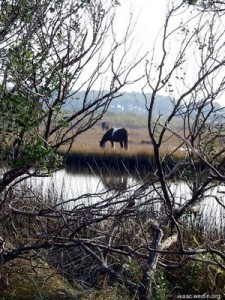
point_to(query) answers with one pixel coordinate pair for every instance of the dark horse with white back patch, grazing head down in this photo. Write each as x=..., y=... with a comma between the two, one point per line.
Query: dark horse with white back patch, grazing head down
x=119, y=135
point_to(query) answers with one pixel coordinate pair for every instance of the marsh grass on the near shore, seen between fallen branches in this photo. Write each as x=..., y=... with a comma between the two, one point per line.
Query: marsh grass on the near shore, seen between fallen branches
x=71, y=274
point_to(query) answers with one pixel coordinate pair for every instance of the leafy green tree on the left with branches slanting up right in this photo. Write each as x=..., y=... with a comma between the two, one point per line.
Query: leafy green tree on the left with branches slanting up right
x=49, y=51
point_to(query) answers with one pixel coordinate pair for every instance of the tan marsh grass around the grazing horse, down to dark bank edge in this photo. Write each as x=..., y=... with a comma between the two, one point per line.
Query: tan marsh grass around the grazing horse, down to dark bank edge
x=86, y=153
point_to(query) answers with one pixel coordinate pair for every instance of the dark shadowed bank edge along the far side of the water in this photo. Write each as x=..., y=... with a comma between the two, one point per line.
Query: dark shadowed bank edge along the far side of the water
x=135, y=163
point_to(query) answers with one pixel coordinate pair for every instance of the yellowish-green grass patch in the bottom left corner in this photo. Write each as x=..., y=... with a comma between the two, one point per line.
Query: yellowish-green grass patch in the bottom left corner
x=28, y=278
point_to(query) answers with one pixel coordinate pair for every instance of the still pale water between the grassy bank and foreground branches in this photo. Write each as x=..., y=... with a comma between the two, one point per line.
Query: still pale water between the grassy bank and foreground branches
x=65, y=185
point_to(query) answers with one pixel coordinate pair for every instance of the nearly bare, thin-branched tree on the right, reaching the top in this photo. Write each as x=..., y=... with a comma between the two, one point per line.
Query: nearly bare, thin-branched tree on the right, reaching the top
x=192, y=75
